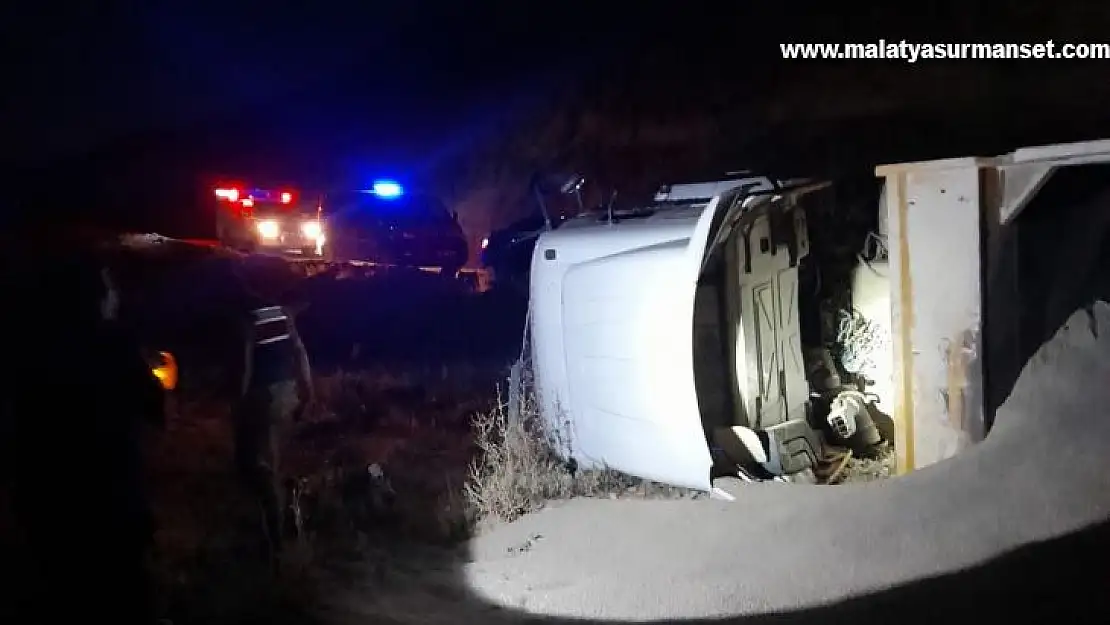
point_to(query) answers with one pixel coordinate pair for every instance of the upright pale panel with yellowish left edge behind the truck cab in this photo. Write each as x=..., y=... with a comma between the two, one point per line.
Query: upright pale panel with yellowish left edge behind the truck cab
x=936, y=311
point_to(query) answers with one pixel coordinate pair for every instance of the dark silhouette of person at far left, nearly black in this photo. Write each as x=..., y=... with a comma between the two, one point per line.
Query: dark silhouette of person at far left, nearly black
x=78, y=396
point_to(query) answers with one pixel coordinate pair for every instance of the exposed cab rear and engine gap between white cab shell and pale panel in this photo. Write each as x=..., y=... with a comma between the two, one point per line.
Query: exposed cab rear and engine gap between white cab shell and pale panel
x=788, y=329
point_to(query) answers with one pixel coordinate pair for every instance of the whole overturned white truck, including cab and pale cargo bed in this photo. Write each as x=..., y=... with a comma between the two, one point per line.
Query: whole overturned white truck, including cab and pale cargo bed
x=668, y=344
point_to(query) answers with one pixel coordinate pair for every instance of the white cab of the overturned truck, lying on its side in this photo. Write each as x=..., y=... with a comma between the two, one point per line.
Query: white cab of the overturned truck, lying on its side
x=669, y=344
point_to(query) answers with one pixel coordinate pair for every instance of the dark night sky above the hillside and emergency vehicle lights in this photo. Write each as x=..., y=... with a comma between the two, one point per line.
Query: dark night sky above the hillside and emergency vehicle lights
x=114, y=90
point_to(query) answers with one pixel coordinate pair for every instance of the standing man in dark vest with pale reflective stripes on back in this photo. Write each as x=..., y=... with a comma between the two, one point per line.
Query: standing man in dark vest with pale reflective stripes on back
x=275, y=390
